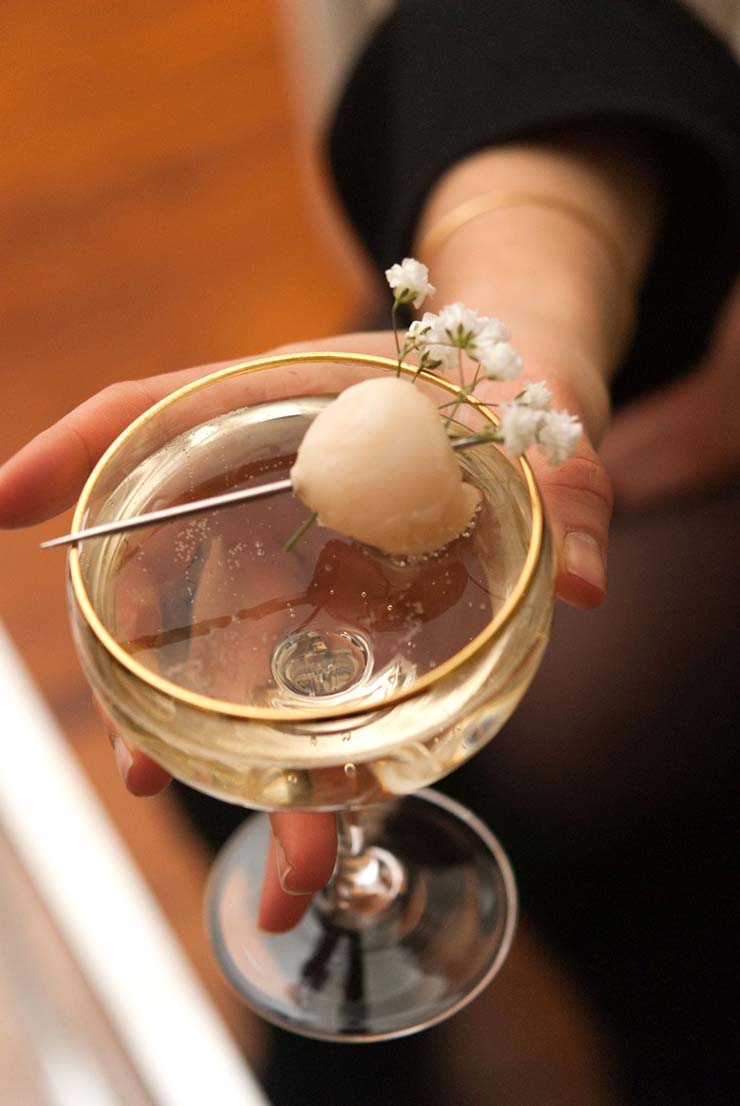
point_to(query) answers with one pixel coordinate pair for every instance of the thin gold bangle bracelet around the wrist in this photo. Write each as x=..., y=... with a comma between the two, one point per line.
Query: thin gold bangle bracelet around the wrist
x=465, y=213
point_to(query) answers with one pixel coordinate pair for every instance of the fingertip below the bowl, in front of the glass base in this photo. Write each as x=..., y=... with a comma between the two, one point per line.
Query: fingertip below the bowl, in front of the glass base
x=300, y=862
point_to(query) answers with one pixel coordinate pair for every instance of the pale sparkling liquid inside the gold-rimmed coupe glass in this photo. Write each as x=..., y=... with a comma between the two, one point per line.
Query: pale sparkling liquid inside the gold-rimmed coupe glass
x=216, y=606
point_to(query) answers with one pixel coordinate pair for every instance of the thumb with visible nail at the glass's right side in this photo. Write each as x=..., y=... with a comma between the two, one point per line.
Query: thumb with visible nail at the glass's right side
x=578, y=502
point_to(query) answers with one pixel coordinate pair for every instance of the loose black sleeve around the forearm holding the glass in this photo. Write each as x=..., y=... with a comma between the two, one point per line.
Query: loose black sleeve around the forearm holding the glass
x=445, y=78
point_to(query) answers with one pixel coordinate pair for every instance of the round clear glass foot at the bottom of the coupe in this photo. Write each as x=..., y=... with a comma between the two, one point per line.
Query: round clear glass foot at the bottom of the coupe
x=364, y=975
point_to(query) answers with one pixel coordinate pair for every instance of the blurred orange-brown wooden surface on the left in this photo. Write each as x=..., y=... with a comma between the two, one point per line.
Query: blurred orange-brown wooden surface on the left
x=153, y=215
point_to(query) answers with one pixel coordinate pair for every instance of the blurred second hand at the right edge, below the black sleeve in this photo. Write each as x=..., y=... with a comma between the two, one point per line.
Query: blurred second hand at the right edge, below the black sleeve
x=685, y=437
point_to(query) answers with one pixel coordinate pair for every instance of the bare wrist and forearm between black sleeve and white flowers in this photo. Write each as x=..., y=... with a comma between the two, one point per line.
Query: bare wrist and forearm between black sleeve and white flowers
x=568, y=294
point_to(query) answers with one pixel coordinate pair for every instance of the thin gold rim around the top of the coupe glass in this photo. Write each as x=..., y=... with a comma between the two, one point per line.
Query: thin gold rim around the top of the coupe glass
x=265, y=714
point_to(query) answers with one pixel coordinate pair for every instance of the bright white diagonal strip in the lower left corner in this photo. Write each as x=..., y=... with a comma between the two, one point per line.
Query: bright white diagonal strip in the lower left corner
x=108, y=916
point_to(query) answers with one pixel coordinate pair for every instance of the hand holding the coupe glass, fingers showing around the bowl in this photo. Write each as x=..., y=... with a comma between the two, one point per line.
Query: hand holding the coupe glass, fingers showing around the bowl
x=46, y=477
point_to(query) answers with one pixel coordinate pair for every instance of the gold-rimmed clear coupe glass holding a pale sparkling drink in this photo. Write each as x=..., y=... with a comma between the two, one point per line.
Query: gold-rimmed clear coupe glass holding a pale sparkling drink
x=331, y=677
